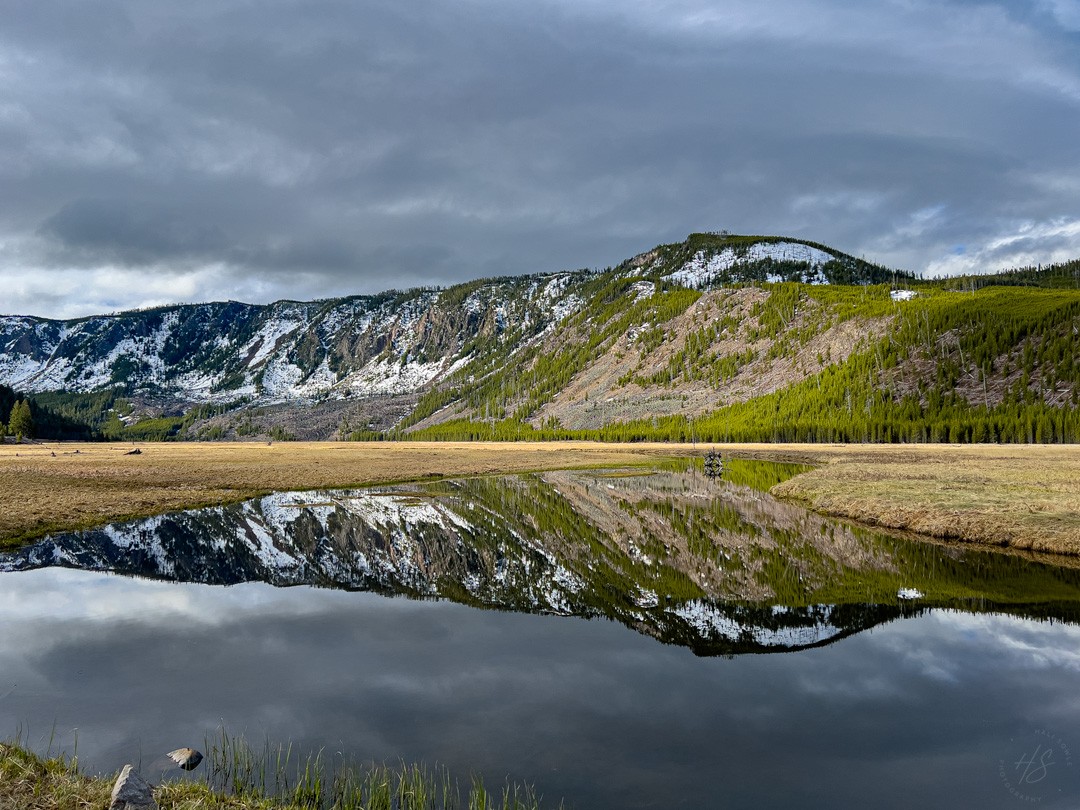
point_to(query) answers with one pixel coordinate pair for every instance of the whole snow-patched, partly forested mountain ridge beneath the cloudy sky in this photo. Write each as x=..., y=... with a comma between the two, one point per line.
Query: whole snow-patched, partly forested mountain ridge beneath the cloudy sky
x=718, y=336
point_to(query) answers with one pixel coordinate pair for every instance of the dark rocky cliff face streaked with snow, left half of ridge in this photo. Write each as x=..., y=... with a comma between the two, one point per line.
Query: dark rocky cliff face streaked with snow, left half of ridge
x=222, y=353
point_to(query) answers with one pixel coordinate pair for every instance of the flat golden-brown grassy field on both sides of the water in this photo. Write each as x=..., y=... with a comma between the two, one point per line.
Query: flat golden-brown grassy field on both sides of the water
x=1023, y=496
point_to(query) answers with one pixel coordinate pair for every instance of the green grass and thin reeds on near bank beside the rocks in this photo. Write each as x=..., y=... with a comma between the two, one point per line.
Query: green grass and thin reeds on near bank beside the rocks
x=238, y=778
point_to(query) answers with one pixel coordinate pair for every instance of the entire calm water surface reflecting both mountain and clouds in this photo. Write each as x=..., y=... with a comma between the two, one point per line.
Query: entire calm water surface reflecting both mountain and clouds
x=658, y=641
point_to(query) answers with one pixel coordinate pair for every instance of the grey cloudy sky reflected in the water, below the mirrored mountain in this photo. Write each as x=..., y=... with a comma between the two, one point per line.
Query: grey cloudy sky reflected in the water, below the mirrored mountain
x=917, y=713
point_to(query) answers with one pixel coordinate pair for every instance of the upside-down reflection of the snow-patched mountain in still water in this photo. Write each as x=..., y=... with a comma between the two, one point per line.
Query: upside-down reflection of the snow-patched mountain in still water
x=712, y=565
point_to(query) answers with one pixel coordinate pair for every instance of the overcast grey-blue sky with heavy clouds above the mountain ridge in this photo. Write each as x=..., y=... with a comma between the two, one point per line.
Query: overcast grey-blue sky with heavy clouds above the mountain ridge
x=163, y=153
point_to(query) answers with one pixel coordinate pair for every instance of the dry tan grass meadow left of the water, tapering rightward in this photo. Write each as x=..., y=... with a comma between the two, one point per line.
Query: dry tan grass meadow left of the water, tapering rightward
x=56, y=488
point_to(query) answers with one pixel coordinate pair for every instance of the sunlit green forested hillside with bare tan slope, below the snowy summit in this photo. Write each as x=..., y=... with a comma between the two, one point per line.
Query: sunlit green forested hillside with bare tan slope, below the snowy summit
x=798, y=362
